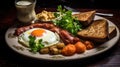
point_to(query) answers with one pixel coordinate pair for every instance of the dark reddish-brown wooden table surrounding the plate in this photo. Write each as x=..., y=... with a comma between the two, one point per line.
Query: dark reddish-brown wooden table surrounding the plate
x=9, y=58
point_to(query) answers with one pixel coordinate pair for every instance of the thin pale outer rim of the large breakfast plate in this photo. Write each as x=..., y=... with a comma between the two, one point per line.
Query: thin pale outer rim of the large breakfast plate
x=59, y=59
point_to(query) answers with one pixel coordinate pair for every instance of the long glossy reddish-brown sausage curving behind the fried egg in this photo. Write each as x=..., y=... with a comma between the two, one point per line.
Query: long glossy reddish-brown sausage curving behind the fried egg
x=64, y=34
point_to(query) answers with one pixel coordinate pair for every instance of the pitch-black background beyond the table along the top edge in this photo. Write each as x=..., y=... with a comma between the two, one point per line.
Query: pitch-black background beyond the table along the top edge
x=99, y=4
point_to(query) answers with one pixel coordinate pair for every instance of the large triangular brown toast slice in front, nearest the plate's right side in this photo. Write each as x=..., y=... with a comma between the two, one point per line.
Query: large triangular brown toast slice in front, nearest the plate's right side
x=97, y=31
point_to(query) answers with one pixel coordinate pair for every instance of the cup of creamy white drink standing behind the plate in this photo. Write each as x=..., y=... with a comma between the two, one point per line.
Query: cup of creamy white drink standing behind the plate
x=25, y=10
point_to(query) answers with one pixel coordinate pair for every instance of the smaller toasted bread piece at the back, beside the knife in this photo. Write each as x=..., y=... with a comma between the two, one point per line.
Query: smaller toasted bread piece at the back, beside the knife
x=85, y=17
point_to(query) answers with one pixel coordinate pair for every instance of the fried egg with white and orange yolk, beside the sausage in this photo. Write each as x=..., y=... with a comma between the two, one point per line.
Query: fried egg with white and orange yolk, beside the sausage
x=48, y=37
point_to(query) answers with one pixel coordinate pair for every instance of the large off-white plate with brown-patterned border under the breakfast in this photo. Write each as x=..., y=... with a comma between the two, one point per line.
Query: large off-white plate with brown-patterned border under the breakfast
x=13, y=42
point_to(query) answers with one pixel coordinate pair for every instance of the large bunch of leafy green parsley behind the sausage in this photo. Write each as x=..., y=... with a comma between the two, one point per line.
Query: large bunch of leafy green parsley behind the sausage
x=65, y=20
